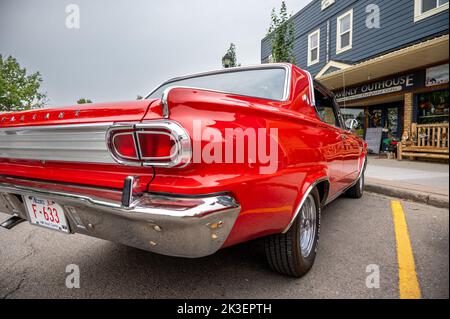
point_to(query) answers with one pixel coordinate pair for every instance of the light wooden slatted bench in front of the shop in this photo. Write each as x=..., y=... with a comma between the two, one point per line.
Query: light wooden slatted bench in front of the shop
x=425, y=141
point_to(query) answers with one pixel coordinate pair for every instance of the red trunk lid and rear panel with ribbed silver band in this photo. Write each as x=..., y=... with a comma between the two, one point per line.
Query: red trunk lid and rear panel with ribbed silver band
x=69, y=144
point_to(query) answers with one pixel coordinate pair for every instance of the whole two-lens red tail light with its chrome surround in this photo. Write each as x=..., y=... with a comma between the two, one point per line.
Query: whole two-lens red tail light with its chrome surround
x=156, y=143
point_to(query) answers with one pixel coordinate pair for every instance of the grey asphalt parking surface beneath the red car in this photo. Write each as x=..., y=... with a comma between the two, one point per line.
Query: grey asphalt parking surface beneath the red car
x=355, y=234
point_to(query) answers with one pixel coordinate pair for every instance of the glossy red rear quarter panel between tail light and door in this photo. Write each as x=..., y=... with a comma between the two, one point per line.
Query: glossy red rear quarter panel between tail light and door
x=268, y=201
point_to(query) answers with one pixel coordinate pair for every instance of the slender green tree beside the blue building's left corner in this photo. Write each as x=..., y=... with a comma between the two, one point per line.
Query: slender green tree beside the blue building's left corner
x=282, y=34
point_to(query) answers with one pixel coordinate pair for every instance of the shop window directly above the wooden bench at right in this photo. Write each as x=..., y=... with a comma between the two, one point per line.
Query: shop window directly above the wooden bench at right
x=433, y=107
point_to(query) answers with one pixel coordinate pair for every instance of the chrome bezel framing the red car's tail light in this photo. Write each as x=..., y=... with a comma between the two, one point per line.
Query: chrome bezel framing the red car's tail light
x=182, y=154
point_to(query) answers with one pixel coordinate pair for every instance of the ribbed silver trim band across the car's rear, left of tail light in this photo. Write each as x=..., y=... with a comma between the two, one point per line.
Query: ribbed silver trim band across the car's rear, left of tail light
x=84, y=143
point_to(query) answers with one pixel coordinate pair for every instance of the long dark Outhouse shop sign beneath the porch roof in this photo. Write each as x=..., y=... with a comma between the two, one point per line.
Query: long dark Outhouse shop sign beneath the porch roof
x=382, y=87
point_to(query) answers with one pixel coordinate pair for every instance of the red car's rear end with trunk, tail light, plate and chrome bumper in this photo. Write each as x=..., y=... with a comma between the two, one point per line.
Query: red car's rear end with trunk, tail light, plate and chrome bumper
x=87, y=169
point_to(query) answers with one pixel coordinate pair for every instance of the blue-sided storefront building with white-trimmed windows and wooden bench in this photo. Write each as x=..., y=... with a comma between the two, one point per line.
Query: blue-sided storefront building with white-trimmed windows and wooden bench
x=386, y=61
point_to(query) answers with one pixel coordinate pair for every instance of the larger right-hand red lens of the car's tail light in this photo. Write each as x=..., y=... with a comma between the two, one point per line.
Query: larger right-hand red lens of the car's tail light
x=156, y=145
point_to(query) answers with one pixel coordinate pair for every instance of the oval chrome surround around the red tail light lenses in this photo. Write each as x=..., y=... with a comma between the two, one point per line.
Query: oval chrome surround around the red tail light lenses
x=180, y=135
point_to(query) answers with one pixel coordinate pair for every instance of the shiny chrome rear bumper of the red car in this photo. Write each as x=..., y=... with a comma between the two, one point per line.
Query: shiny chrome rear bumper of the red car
x=166, y=224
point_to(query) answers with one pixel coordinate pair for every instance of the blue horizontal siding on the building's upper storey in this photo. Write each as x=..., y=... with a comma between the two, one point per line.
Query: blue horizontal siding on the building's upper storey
x=398, y=29
